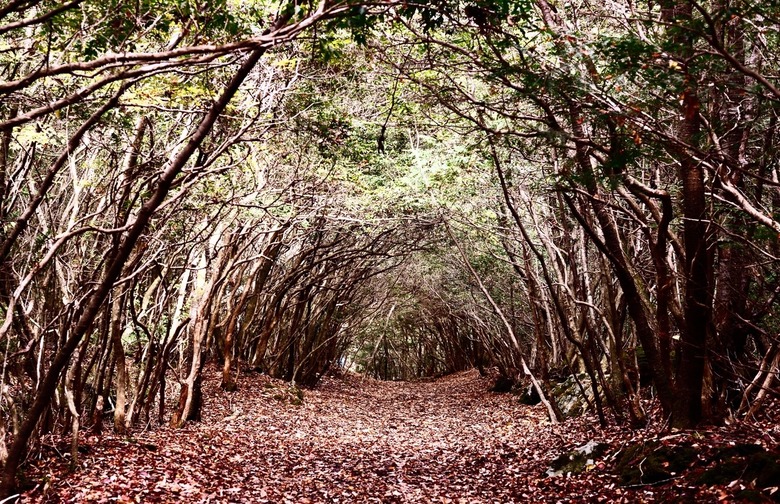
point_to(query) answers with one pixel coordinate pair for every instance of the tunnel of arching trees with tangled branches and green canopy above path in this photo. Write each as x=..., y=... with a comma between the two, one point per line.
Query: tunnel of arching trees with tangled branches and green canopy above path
x=395, y=188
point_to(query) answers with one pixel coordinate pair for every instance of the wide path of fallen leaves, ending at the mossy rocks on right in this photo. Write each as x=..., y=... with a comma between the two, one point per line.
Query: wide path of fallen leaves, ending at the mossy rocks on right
x=351, y=440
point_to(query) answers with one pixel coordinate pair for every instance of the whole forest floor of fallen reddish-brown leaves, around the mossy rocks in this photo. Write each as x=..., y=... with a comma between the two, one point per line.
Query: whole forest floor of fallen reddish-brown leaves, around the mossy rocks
x=359, y=440
